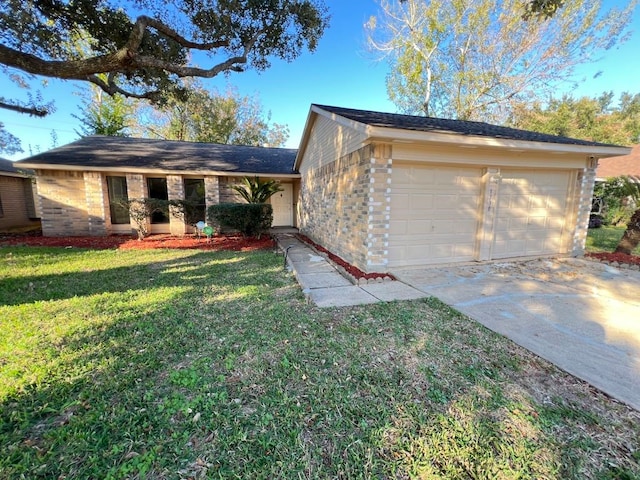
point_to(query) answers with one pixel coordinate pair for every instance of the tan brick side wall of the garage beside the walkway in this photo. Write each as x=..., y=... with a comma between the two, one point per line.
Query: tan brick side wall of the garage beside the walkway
x=344, y=206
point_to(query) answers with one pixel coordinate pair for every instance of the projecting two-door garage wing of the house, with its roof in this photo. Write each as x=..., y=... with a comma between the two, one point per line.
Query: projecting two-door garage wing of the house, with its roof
x=385, y=190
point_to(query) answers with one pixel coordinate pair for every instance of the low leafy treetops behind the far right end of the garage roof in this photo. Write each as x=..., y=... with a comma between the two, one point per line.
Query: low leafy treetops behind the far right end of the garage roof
x=598, y=119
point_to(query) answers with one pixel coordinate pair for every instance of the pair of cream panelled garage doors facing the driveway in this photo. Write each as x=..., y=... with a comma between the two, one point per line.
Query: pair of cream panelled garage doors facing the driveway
x=437, y=216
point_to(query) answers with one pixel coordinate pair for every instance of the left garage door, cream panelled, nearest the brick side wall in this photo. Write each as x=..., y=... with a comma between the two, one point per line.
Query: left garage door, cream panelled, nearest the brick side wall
x=434, y=215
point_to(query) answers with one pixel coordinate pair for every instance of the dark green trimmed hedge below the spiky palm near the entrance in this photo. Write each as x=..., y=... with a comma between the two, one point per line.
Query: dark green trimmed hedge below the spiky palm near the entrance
x=250, y=219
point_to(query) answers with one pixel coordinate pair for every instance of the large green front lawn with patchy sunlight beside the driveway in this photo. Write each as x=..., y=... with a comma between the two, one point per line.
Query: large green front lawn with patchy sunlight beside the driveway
x=186, y=364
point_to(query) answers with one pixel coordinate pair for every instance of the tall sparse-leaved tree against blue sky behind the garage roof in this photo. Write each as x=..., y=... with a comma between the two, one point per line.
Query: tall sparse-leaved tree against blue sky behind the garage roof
x=473, y=59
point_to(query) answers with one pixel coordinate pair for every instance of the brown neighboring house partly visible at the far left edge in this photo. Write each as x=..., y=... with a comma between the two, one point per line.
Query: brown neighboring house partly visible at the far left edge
x=17, y=205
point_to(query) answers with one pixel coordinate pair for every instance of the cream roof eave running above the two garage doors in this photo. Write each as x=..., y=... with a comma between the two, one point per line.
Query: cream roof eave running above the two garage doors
x=397, y=135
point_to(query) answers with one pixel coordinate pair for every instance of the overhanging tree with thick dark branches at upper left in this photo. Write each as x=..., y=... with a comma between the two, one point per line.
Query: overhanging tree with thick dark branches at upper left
x=143, y=56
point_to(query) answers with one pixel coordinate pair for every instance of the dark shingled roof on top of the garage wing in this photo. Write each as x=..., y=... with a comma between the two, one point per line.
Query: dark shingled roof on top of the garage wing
x=459, y=127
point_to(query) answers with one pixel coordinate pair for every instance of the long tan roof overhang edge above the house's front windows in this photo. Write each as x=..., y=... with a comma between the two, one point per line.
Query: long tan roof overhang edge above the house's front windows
x=154, y=171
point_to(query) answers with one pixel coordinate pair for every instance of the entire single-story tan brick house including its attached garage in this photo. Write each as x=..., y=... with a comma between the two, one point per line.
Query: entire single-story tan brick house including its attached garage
x=380, y=190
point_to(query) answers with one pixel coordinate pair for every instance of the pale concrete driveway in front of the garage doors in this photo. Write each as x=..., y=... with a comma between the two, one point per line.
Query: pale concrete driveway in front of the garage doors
x=582, y=316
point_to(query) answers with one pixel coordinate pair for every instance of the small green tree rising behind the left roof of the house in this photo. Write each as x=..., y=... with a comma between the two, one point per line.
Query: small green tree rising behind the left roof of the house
x=105, y=115
